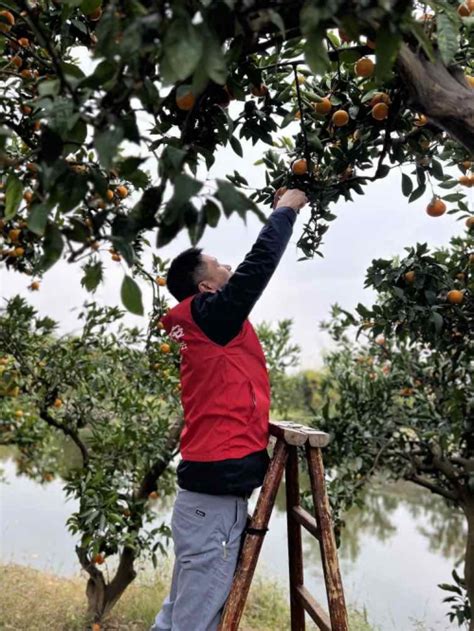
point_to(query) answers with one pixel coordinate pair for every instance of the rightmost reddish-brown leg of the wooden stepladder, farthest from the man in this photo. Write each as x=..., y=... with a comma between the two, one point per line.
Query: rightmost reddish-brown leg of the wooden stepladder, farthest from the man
x=335, y=592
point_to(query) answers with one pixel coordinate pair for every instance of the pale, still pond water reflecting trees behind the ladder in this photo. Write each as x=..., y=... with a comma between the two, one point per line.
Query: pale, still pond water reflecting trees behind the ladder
x=393, y=553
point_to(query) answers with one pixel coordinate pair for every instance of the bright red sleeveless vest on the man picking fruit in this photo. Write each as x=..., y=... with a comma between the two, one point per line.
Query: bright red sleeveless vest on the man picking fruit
x=225, y=390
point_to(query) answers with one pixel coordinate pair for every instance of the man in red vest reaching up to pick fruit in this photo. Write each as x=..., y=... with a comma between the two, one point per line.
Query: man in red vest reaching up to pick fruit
x=225, y=393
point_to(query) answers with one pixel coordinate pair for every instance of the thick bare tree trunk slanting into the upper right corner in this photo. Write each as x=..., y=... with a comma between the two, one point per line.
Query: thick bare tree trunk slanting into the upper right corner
x=440, y=93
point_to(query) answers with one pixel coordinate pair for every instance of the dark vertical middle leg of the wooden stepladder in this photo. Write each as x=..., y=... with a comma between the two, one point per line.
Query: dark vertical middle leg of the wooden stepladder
x=295, y=551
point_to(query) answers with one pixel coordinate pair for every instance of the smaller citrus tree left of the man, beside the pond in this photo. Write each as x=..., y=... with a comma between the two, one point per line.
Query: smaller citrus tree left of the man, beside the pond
x=113, y=393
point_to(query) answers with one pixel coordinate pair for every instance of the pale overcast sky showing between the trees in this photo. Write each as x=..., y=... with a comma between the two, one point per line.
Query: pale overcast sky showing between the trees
x=379, y=224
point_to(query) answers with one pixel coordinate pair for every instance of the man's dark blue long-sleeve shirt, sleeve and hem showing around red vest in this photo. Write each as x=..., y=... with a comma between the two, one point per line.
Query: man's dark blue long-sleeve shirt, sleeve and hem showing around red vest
x=220, y=316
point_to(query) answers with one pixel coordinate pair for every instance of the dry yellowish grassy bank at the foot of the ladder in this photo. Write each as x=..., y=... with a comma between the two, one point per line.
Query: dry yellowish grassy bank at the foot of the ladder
x=37, y=601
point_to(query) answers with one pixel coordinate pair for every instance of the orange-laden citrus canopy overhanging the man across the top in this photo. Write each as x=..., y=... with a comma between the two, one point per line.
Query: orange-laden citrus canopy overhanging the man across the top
x=93, y=88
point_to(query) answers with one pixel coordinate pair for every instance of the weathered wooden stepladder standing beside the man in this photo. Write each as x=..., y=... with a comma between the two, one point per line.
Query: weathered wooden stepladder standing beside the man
x=289, y=437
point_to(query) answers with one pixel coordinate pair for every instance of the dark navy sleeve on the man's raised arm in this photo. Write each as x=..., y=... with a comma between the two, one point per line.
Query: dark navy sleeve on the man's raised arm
x=221, y=314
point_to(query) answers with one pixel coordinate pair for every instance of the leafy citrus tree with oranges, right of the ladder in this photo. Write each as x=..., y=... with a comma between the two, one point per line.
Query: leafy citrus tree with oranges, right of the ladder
x=399, y=398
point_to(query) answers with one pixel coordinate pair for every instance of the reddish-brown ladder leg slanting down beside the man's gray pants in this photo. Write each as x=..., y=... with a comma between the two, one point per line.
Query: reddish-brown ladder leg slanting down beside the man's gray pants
x=253, y=542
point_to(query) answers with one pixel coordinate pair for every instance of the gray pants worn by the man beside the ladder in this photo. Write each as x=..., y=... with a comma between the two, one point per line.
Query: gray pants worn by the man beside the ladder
x=207, y=532
